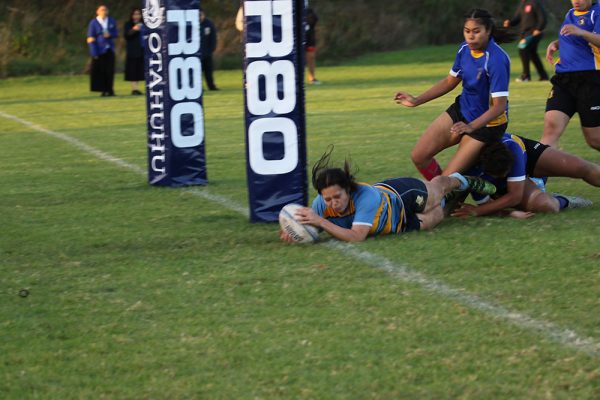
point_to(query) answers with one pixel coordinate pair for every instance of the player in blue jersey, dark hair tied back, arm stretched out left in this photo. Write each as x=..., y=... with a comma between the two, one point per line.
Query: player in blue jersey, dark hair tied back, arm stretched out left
x=480, y=114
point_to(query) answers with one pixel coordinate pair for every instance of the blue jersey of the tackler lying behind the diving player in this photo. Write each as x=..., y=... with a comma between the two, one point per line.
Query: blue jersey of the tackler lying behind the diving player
x=517, y=173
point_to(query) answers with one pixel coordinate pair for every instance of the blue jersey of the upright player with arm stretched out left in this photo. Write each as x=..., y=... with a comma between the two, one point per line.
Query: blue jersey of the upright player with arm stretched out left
x=485, y=75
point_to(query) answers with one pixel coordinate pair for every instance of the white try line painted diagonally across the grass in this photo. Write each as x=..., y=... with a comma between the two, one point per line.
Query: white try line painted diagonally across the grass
x=565, y=337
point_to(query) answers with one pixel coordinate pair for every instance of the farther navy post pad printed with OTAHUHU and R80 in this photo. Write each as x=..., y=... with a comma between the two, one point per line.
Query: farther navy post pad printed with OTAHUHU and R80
x=176, y=154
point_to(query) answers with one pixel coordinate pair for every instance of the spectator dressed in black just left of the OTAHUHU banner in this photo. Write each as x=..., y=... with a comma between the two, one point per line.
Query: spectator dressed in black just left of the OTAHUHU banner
x=134, y=60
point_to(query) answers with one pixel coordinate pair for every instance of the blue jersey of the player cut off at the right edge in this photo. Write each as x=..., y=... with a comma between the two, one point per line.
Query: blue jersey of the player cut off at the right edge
x=576, y=54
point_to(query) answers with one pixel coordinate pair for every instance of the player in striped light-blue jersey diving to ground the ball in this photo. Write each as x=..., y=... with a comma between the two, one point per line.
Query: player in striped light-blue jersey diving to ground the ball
x=352, y=211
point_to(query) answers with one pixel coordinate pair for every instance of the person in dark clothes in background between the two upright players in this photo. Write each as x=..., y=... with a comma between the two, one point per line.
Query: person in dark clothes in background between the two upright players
x=531, y=19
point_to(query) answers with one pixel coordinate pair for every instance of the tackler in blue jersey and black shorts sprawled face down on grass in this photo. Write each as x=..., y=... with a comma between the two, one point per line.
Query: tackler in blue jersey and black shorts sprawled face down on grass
x=509, y=164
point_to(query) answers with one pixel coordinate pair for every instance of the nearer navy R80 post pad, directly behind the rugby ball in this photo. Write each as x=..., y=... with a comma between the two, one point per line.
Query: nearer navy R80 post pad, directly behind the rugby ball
x=274, y=106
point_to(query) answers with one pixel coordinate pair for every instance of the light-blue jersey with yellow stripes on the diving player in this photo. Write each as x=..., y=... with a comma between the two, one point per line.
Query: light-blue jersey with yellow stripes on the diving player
x=372, y=206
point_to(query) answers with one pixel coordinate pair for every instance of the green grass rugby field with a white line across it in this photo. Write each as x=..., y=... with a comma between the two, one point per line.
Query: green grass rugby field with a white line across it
x=142, y=292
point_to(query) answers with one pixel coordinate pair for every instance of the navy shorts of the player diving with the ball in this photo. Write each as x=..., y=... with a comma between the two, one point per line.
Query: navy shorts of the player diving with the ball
x=413, y=194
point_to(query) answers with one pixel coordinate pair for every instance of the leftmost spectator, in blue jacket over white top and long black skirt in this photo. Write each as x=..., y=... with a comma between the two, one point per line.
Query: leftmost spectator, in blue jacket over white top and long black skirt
x=101, y=33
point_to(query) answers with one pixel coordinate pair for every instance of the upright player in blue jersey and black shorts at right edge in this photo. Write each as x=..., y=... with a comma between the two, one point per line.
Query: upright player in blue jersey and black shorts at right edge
x=576, y=85
